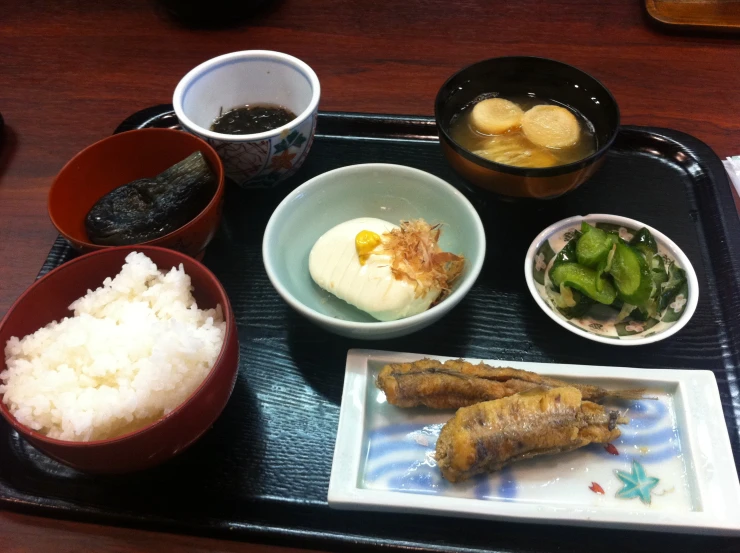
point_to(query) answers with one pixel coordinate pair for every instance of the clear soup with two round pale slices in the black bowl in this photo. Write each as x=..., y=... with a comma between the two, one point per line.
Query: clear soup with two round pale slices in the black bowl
x=549, y=128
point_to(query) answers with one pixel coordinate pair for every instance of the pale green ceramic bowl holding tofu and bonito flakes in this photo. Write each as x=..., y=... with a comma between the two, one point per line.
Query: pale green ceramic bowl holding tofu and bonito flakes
x=390, y=192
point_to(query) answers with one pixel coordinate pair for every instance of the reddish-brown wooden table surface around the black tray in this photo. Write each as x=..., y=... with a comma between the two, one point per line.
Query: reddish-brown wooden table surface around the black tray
x=71, y=70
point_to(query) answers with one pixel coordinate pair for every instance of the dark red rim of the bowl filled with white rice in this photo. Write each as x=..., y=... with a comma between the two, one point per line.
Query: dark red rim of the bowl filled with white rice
x=230, y=329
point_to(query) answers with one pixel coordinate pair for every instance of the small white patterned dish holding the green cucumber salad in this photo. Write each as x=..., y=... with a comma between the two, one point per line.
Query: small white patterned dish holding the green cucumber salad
x=599, y=323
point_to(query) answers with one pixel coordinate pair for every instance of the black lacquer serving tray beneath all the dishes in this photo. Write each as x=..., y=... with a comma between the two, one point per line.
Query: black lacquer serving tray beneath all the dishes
x=261, y=473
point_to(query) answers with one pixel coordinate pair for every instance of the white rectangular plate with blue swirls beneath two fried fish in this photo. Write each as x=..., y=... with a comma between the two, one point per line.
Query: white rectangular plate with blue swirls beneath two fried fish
x=384, y=457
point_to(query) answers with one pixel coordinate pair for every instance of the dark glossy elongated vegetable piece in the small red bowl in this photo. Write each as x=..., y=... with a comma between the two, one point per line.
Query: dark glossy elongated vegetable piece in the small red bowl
x=148, y=208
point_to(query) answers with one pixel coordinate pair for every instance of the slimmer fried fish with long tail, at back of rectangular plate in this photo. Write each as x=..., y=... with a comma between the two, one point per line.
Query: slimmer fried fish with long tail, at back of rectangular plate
x=455, y=384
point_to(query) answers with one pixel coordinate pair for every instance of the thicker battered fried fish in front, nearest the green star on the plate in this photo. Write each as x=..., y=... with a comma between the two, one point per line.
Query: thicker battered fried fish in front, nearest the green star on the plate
x=488, y=436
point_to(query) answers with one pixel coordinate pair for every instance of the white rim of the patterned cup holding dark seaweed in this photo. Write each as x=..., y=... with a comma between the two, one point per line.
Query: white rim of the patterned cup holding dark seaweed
x=194, y=73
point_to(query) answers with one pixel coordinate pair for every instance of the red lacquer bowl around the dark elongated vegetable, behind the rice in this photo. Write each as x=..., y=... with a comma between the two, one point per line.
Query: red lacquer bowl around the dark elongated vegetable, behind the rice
x=120, y=159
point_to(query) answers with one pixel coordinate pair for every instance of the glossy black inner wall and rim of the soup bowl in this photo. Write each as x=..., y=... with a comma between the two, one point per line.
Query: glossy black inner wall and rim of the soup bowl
x=547, y=79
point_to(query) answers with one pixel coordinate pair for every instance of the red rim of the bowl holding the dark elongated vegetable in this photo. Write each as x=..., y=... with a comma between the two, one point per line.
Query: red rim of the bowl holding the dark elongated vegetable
x=217, y=196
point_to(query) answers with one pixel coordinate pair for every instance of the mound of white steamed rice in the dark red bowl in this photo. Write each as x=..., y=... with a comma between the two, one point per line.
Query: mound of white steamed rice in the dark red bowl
x=134, y=350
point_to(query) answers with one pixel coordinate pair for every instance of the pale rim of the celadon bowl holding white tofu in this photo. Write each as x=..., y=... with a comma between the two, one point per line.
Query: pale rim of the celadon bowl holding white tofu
x=431, y=314
